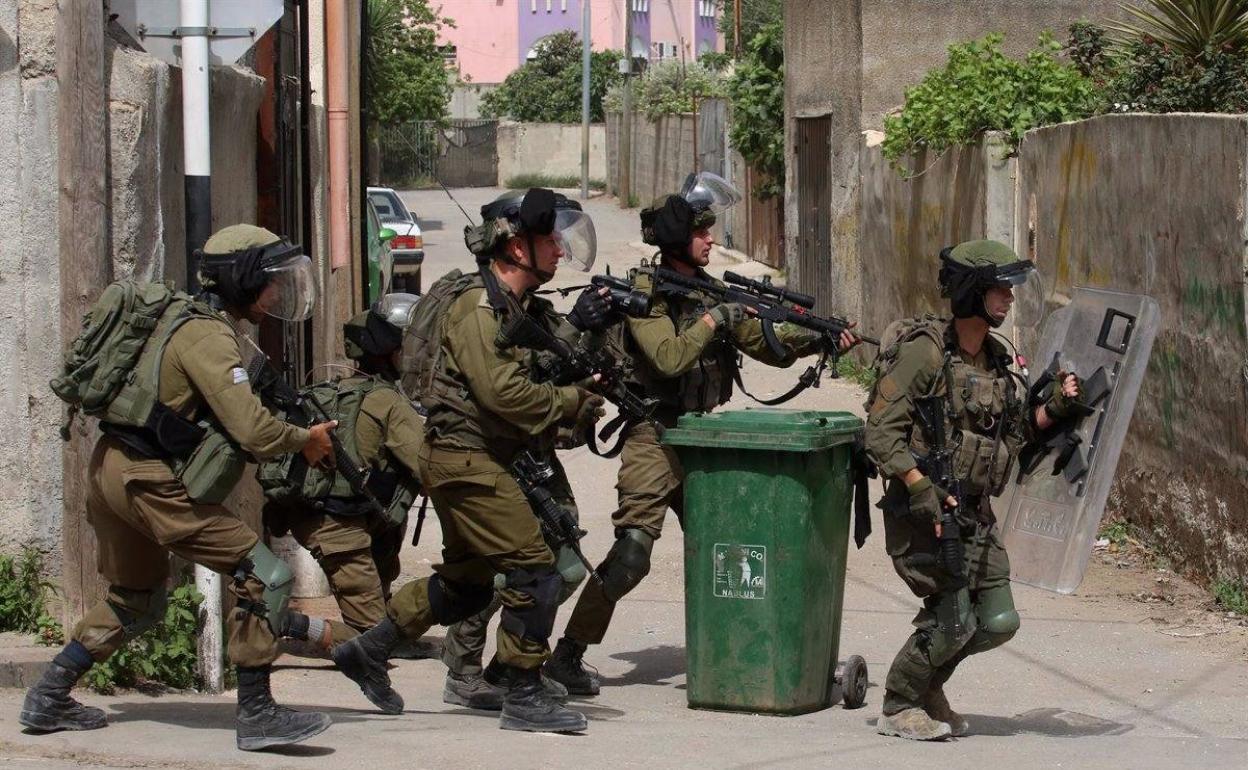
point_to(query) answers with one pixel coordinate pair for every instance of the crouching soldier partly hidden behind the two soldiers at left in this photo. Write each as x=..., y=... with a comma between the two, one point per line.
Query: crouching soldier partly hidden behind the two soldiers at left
x=356, y=546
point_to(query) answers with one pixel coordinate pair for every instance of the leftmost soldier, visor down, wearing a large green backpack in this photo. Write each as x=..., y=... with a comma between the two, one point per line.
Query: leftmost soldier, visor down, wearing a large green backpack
x=157, y=487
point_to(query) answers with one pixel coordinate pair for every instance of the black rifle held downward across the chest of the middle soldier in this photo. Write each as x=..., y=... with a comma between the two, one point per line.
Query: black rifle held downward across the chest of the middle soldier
x=575, y=364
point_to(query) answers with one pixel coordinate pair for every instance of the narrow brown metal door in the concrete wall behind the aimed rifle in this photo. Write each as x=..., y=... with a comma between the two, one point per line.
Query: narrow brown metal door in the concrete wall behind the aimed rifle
x=814, y=149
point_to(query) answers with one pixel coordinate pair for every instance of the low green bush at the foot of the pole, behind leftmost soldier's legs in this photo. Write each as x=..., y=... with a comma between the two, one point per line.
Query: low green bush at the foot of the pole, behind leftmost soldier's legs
x=165, y=655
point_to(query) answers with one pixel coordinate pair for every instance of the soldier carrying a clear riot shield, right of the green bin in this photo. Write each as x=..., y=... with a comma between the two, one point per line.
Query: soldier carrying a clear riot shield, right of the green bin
x=990, y=417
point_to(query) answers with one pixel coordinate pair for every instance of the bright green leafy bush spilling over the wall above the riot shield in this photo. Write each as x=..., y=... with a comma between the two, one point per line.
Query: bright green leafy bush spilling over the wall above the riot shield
x=982, y=89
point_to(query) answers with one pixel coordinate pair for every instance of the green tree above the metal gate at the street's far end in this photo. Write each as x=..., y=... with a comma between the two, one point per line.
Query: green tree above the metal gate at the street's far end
x=406, y=76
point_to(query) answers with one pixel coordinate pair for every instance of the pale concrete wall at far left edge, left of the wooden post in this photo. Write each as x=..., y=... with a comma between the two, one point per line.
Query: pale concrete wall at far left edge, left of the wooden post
x=31, y=447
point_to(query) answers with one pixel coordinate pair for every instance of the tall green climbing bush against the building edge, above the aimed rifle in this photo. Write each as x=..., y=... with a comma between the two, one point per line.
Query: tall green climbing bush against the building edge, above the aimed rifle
x=757, y=94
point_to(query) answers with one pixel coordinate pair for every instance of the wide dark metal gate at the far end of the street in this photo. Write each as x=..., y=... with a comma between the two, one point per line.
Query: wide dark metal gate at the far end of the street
x=459, y=154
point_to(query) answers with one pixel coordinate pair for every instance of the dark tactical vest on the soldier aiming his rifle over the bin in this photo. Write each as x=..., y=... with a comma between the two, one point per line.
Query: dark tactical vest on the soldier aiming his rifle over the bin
x=706, y=386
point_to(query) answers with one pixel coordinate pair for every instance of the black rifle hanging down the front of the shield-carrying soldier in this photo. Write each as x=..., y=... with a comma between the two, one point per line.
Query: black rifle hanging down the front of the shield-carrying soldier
x=939, y=467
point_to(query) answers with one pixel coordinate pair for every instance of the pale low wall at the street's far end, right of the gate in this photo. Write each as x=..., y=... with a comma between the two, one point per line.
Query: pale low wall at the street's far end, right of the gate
x=550, y=149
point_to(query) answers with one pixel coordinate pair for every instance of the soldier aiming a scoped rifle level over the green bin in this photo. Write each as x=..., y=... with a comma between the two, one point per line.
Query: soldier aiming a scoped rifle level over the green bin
x=686, y=356
